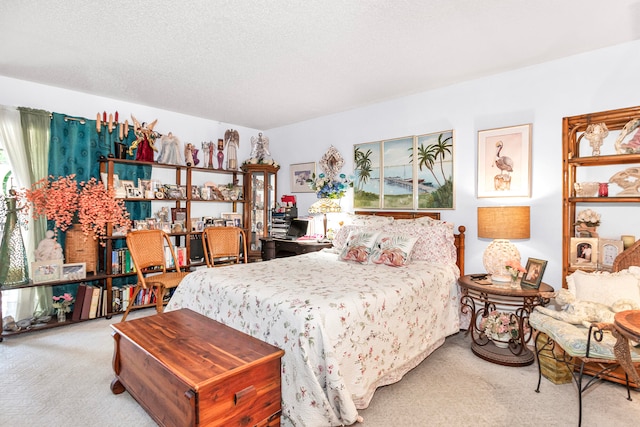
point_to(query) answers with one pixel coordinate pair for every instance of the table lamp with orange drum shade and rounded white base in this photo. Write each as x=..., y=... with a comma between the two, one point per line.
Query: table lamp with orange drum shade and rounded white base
x=502, y=223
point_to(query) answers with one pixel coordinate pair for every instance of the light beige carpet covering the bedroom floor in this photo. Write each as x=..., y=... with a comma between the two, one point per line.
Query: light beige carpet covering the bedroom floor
x=61, y=377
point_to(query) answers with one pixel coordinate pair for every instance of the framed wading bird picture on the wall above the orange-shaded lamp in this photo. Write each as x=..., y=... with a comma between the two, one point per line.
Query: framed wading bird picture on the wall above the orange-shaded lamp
x=504, y=162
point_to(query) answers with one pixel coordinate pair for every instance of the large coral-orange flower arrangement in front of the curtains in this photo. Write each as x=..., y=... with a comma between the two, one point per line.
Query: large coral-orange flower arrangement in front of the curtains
x=65, y=202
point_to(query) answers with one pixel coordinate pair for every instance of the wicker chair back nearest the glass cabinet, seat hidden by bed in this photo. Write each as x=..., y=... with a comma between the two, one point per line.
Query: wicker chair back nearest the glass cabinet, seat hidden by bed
x=224, y=245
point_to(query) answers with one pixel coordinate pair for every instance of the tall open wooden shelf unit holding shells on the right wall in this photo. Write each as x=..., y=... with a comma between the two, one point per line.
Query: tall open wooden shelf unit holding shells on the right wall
x=581, y=164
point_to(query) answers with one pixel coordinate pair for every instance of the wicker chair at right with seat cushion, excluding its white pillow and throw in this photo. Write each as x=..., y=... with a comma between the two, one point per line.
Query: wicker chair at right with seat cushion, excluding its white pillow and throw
x=589, y=351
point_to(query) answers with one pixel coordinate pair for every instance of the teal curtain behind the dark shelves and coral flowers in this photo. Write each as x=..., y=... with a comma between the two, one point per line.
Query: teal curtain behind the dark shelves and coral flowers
x=76, y=148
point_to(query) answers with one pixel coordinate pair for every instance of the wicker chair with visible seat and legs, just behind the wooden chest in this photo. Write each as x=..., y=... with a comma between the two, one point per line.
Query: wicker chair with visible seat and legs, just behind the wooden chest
x=147, y=248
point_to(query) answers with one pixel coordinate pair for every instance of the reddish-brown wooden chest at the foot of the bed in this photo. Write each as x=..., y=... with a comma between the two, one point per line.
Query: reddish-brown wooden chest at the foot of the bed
x=188, y=370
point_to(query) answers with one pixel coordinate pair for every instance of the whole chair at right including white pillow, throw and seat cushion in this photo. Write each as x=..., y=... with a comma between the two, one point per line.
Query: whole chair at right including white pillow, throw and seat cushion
x=583, y=328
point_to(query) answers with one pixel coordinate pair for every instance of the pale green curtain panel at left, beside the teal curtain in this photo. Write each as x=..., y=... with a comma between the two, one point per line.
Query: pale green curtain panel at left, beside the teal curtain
x=35, y=133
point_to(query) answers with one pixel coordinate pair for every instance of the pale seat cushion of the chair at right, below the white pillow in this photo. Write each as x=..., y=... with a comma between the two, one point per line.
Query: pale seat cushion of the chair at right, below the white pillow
x=573, y=338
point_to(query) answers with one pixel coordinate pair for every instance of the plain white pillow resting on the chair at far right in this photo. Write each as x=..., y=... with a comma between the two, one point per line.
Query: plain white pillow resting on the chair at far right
x=604, y=287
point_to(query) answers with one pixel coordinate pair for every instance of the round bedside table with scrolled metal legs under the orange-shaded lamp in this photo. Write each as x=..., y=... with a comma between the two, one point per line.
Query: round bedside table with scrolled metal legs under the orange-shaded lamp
x=480, y=299
